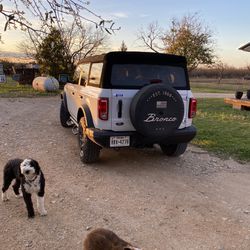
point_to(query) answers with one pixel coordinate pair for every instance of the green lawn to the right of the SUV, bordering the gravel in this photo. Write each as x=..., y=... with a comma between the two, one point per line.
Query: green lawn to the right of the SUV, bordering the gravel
x=222, y=130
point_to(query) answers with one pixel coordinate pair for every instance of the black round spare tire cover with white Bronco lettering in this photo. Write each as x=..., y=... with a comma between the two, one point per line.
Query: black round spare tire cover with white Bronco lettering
x=156, y=110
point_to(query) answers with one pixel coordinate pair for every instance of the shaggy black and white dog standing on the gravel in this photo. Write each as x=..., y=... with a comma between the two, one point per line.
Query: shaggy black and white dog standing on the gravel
x=27, y=174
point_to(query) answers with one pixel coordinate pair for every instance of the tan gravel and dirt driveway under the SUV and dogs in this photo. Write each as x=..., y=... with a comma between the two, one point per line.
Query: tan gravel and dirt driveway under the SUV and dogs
x=196, y=201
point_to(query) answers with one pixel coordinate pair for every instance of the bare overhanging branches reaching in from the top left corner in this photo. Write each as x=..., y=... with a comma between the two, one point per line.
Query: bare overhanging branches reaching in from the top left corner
x=50, y=13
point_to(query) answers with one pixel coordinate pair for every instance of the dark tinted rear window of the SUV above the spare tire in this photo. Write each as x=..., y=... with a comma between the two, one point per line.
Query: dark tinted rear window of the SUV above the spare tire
x=138, y=75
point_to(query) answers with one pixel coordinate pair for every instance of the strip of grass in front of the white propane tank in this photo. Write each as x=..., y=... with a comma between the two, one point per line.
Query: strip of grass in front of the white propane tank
x=13, y=89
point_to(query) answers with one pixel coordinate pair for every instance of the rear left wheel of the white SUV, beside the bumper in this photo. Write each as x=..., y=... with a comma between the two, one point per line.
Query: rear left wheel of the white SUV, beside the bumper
x=89, y=151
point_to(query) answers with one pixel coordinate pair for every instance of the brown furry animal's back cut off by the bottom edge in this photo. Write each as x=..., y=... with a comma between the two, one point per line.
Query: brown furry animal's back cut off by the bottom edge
x=104, y=239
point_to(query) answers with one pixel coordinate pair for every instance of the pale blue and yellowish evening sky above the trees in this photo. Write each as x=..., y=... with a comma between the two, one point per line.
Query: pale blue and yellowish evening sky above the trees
x=228, y=21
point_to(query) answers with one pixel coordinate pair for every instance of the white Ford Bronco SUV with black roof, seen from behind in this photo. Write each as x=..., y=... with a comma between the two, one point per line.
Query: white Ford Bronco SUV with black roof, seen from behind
x=129, y=99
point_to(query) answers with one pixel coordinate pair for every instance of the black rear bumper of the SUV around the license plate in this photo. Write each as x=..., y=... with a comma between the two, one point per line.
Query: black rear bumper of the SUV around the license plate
x=102, y=137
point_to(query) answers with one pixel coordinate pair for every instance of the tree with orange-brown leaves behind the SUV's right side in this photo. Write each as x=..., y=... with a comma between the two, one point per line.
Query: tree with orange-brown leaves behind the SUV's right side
x=190, y=38
